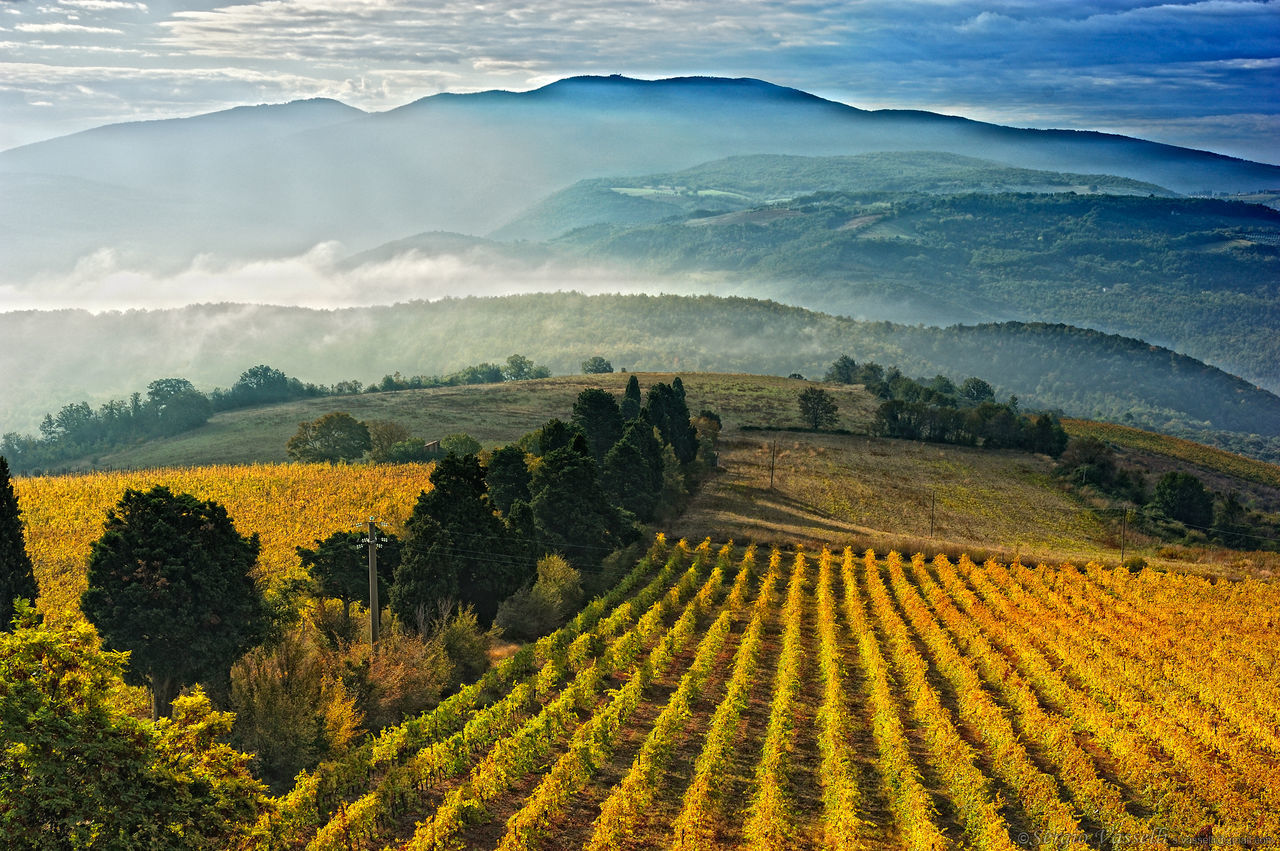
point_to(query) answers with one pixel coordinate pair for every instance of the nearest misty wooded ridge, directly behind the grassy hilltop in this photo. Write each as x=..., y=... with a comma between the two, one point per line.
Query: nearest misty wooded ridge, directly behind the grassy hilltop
x=1084, y=373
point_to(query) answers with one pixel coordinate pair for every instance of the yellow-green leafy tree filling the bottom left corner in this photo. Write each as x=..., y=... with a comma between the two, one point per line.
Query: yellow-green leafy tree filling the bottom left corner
x=79, y=772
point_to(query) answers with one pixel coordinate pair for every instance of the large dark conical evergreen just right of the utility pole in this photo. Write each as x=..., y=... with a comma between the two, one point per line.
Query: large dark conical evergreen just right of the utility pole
x=458, y=548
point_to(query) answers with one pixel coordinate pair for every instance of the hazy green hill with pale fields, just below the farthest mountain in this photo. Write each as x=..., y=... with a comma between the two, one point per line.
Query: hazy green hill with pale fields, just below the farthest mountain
x=743, y=182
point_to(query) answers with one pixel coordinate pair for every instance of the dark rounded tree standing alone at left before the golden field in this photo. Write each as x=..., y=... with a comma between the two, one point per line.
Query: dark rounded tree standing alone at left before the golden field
x=172, y=582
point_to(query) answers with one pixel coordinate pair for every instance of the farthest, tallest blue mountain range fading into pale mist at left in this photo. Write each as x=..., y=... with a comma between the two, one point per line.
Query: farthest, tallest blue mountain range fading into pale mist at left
x=318, y=172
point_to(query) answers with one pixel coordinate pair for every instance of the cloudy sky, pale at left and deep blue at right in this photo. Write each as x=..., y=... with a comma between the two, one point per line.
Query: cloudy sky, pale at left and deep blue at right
x=1203, y=74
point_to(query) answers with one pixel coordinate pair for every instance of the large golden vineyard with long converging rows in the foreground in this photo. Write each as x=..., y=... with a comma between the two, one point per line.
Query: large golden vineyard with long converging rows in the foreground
x=840, y=701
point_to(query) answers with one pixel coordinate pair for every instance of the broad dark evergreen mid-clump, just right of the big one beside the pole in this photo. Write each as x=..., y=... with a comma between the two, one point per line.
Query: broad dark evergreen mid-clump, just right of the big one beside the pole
x=573, y=513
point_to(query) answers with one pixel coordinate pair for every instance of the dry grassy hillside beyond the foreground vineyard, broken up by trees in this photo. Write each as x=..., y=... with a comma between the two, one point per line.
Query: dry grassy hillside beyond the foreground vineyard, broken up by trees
x=828, y=488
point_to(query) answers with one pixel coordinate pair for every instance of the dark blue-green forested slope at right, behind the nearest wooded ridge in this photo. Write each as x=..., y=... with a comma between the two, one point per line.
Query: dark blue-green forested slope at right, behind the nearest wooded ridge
x=1199, y=276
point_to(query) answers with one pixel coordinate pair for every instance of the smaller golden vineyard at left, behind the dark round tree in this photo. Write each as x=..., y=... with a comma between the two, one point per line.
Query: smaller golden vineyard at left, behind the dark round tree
x=287, y=506
